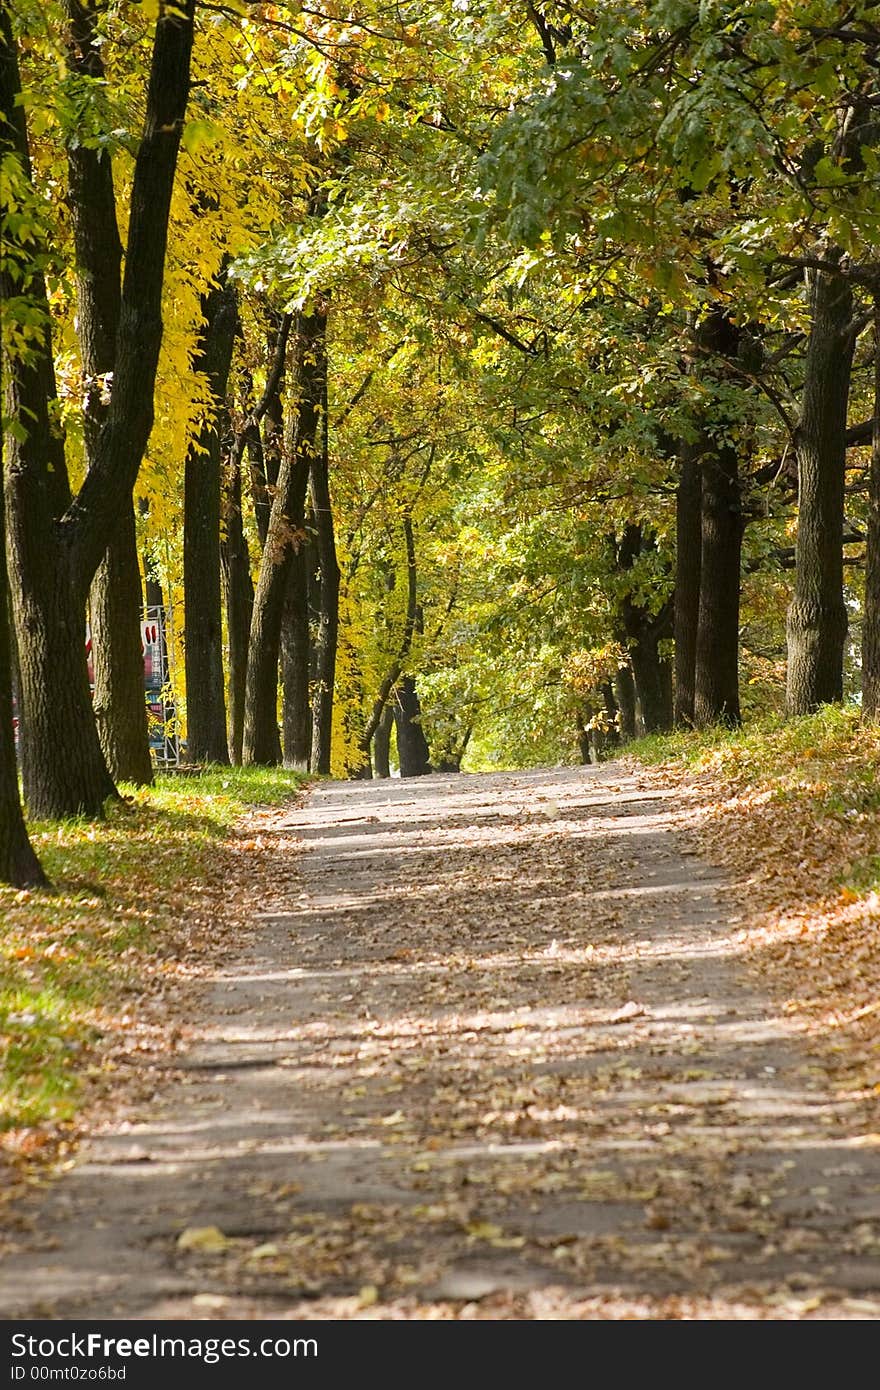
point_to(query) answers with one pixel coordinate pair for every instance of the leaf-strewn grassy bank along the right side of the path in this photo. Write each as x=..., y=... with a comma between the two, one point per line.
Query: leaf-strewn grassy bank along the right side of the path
x=792, y=810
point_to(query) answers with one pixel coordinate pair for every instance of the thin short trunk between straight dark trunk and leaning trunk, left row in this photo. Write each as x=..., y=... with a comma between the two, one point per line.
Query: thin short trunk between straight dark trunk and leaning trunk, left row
x=238, y=589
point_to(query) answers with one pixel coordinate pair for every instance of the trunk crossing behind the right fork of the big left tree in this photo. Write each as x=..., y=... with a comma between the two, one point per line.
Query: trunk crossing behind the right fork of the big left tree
x=117, y=651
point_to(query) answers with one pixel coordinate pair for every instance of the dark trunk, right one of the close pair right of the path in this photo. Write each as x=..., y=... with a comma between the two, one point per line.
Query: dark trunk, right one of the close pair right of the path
x=717, y=676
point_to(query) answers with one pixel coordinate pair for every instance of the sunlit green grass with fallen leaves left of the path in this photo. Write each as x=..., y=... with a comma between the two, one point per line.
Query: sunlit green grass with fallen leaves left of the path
x=76, y=963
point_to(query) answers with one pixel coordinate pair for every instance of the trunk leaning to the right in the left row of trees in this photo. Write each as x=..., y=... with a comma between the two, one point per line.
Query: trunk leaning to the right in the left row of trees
x=284, y=536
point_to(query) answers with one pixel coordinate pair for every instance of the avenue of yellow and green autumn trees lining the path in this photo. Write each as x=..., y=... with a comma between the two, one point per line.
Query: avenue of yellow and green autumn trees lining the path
x=478, y=377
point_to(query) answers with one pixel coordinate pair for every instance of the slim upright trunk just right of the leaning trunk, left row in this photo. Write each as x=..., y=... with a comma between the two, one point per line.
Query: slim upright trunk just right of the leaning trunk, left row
x=329, y=619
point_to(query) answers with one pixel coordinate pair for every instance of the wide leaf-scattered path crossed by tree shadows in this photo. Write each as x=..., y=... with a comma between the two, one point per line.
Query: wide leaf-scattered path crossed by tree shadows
x=501, y=1060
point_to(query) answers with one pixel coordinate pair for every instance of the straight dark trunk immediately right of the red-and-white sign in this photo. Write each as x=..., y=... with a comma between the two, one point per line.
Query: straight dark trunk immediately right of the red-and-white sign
x=206, y=712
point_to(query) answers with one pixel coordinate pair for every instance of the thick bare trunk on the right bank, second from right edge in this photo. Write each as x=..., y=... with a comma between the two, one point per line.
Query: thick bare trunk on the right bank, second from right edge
x=817, y=625
